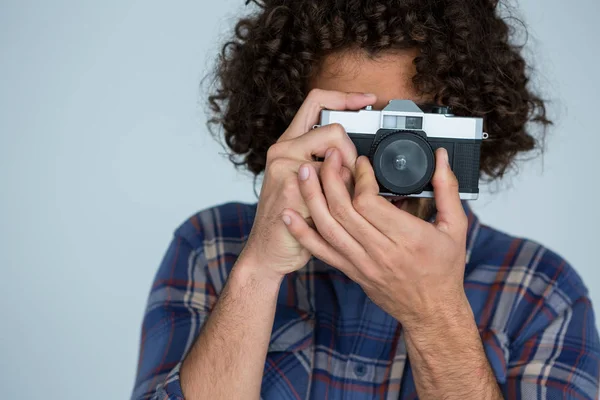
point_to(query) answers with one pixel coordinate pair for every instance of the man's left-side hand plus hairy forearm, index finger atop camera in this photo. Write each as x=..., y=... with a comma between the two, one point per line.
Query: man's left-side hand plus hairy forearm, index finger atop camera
x=233, y=343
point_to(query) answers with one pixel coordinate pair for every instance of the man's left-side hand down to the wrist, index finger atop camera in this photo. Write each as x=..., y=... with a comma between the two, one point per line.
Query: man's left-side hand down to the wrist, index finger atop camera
x=270, y=248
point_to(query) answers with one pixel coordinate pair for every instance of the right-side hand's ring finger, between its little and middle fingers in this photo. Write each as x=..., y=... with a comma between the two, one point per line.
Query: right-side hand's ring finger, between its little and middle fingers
x=327, y=226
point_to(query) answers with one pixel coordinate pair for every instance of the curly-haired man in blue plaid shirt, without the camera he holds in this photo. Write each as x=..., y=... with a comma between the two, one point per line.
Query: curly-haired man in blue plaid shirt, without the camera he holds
x=324, y=289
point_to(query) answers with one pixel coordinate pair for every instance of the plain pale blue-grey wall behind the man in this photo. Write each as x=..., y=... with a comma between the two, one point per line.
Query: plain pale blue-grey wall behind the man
x=103, y=152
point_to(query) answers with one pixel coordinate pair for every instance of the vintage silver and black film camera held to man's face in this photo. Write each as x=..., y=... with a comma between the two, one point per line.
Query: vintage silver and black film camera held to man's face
x=400, y=142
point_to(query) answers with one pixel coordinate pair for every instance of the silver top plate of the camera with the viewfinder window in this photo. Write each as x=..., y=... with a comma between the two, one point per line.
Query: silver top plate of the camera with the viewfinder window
x=406, y=115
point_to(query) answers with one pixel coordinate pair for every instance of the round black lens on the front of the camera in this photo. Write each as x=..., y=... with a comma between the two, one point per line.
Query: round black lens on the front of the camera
x=403, y=163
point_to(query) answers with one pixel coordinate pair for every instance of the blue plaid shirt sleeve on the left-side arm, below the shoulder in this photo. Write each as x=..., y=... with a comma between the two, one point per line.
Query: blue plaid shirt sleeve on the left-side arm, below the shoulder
x=179, y=303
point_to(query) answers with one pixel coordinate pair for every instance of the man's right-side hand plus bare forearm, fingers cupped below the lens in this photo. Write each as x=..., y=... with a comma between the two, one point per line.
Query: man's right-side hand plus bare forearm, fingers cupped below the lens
x=412, y=269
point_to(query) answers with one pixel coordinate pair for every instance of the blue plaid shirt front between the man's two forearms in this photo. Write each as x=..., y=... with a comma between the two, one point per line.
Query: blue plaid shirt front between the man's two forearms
x=352, y=352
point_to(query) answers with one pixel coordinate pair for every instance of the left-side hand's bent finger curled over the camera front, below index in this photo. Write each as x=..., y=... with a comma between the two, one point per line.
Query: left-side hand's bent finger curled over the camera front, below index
x=316, y=143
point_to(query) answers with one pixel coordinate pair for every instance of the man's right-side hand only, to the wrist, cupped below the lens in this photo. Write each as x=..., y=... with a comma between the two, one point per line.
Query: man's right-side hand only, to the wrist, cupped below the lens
x=412, y=269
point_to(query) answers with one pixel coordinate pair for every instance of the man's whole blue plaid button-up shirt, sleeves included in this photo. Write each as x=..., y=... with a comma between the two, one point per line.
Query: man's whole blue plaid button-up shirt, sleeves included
x=330, y=341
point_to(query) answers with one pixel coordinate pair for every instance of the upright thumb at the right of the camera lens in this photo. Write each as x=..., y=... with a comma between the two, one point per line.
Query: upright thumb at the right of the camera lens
x=451, y=215
